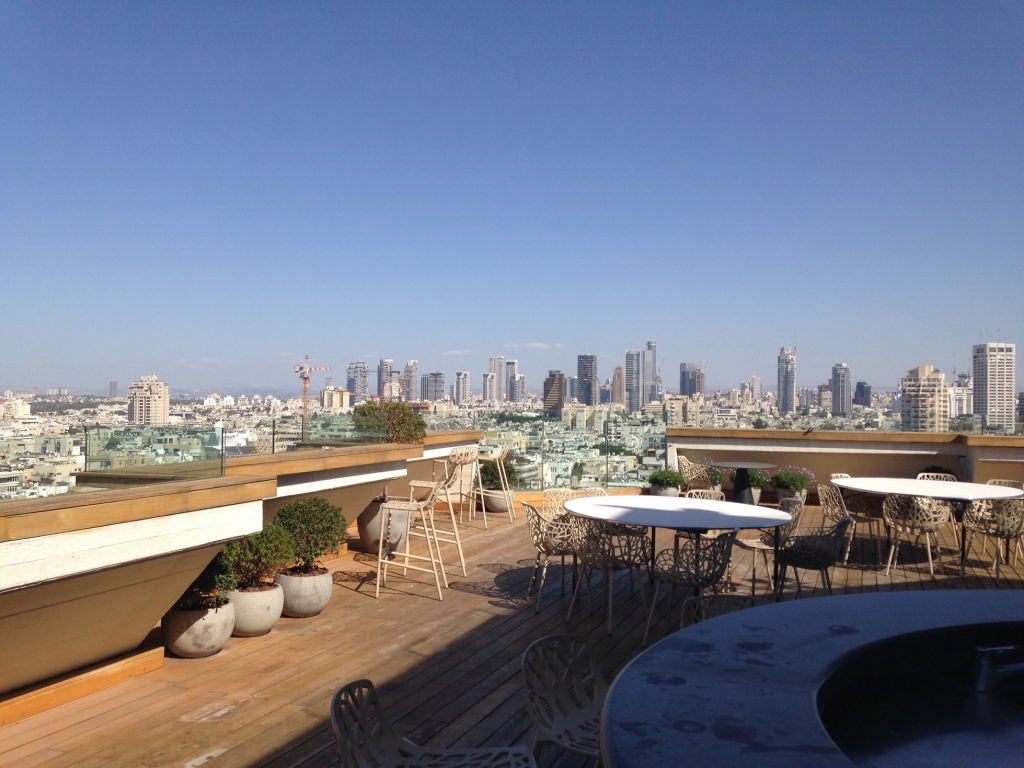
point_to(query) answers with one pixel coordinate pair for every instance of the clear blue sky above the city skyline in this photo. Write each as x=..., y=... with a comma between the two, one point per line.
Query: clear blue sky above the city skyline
x=210, y=191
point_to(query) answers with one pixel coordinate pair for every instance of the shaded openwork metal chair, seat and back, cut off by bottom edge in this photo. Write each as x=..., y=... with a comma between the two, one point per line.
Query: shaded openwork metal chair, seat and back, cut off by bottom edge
x=366, y=740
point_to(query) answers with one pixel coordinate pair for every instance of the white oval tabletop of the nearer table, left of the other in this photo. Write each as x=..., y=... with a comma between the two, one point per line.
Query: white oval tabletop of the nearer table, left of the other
x=676, y=513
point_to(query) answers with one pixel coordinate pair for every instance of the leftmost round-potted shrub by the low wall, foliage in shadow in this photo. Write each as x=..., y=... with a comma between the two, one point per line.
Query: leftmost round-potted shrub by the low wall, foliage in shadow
x=201, y=622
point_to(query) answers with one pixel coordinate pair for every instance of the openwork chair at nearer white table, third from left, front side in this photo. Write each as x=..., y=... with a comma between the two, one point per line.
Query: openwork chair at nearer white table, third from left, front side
x=697, y=565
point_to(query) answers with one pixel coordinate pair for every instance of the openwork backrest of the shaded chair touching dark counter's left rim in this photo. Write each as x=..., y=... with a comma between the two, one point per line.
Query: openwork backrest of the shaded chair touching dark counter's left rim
x=561, y=679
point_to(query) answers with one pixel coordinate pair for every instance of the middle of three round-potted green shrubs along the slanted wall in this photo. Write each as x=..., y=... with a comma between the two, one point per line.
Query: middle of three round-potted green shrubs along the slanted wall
x=254, y=562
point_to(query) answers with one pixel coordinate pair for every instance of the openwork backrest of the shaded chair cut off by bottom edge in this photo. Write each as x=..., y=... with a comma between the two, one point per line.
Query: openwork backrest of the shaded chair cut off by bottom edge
x=364, y=736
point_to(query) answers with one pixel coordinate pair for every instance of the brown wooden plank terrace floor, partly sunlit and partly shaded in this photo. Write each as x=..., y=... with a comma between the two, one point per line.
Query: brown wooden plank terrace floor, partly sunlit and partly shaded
x=449, y=672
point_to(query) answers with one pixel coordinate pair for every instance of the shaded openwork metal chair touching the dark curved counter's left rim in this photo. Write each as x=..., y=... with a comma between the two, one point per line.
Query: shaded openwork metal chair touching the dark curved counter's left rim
x=565, y=696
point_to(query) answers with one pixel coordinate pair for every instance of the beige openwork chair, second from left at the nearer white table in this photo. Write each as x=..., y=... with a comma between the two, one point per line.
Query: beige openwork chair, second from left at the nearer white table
x=608, y=548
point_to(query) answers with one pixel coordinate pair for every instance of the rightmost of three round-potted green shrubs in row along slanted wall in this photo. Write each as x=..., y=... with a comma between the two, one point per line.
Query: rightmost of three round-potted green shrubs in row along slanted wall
x=316, y=527
